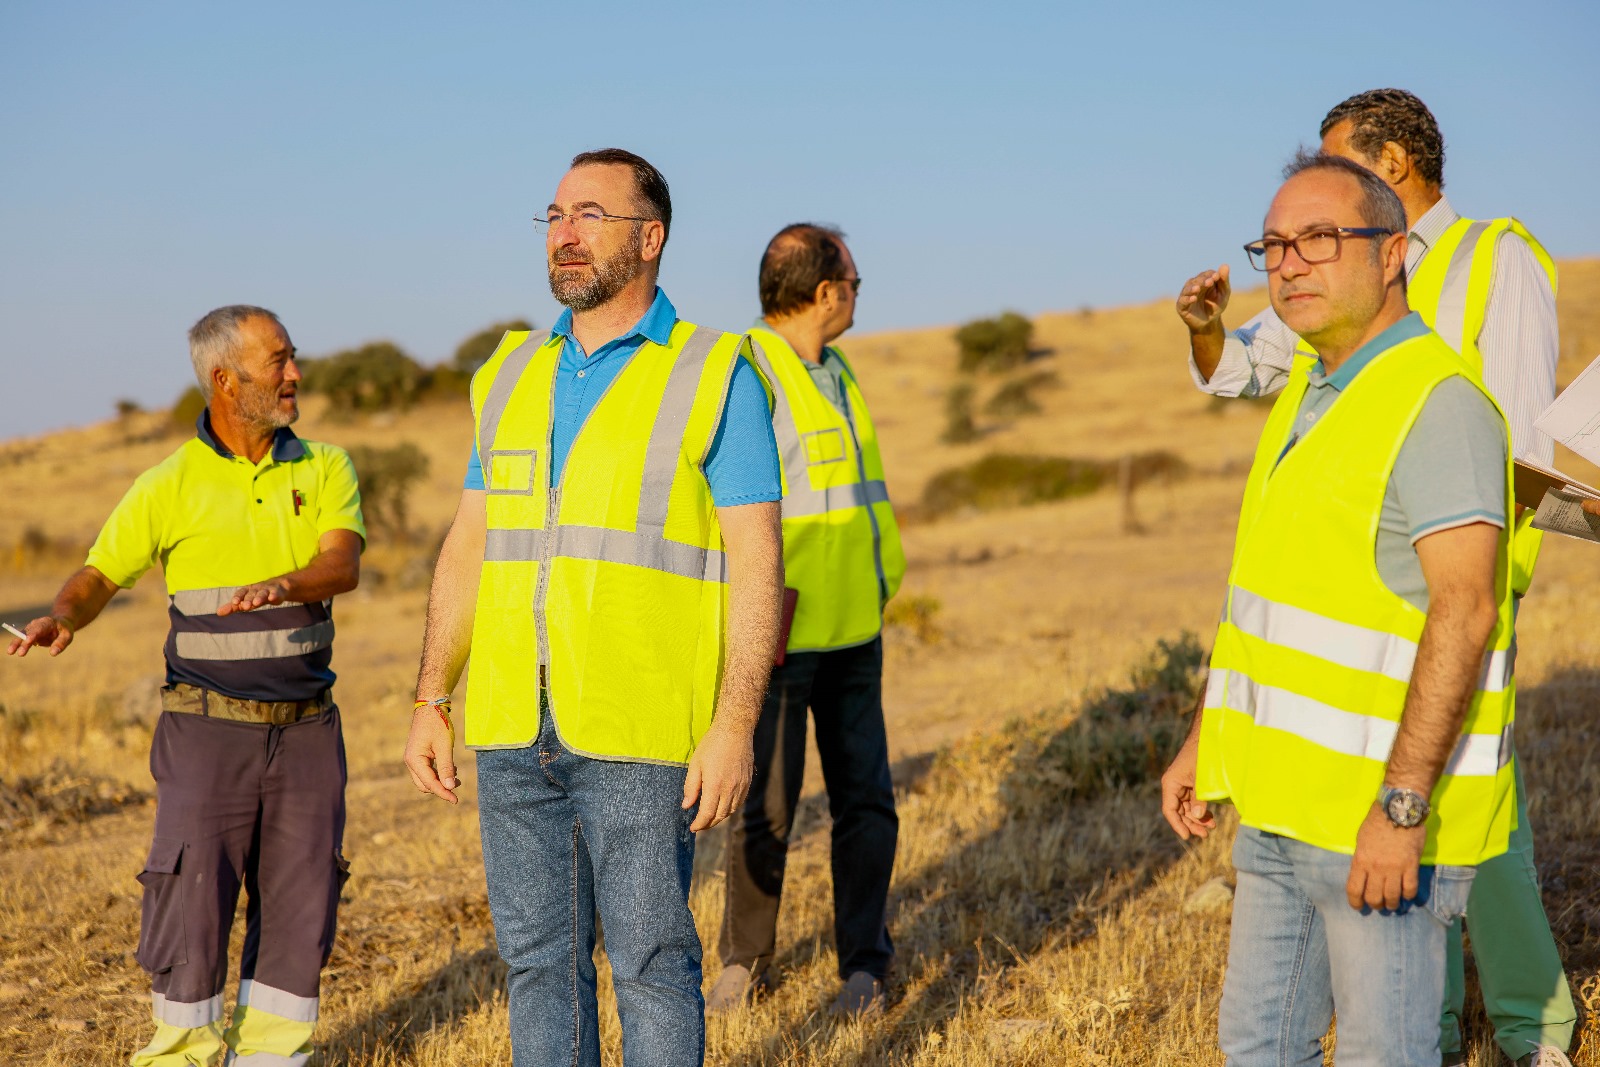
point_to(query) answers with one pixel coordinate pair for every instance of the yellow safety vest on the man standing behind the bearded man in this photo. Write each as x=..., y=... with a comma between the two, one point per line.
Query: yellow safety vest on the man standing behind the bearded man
x=842, y=548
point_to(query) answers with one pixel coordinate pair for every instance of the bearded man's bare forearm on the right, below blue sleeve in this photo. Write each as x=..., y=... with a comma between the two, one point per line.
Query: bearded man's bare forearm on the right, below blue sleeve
x=756, y=562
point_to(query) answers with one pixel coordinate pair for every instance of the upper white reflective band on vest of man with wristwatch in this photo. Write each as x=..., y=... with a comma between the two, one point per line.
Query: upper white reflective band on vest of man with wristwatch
x=1346, y=644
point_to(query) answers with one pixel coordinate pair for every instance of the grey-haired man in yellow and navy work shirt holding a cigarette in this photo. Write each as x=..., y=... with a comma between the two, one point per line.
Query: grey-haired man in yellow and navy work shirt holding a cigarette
x=257, y=532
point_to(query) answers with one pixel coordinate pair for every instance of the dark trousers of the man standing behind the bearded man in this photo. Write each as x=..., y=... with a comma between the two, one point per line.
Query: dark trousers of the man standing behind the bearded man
x=844, y=690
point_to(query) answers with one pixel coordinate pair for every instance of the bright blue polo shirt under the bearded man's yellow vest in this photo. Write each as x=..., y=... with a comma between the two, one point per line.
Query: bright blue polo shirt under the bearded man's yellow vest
x=743, y=463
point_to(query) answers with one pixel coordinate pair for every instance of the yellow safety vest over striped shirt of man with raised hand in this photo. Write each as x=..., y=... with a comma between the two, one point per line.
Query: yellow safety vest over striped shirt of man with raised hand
x=1450, y=290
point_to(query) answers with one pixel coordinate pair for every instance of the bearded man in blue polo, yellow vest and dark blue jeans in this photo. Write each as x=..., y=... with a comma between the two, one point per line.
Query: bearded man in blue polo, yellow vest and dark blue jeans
x=615, y=570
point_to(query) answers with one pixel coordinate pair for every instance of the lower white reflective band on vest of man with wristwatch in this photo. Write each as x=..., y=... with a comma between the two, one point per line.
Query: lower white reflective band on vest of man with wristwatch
x=1476, y=756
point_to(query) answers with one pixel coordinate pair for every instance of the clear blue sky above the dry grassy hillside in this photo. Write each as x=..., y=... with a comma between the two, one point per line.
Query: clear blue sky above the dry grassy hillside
x=369, y=170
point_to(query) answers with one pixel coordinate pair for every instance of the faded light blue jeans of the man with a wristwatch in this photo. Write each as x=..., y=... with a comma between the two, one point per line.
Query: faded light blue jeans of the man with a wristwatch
x=1300, y=951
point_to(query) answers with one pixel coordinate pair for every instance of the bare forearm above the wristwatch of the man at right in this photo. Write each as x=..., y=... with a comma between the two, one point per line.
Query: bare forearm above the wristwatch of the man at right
x=1444, y=679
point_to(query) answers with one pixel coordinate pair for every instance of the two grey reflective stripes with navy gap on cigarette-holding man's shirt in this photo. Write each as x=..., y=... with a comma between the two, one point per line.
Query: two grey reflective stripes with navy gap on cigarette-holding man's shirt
x=268, y=633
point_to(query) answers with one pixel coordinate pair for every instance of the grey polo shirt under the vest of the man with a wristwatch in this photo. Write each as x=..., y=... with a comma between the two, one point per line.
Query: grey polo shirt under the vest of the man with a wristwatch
x=1450, y=471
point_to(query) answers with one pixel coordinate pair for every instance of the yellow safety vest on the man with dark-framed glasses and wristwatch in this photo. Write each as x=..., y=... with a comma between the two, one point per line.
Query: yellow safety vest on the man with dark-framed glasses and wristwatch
x=1314, y=655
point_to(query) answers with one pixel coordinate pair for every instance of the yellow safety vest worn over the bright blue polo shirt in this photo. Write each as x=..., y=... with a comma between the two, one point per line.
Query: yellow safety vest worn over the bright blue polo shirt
x=615, y=580
